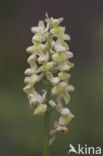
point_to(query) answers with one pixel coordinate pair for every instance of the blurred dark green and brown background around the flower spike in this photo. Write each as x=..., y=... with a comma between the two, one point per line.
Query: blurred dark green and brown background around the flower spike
x=21, y=133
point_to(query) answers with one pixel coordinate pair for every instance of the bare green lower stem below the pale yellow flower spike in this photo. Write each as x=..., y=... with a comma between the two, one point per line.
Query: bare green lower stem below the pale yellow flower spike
x=46, y=134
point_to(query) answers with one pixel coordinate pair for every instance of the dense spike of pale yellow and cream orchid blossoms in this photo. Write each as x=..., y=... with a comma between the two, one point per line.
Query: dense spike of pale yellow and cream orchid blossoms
x=49, y=64
